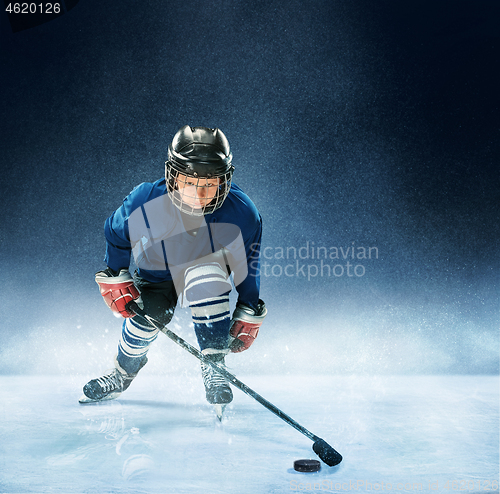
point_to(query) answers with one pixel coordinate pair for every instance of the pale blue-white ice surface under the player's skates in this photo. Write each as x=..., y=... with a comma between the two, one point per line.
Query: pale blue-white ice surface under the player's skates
x=396, y=433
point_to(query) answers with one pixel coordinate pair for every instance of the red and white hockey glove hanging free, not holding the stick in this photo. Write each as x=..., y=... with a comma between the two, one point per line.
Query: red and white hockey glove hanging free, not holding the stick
x=245, y=326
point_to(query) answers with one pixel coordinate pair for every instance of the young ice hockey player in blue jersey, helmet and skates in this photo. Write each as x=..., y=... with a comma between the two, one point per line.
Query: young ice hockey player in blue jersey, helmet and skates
x=188, y=233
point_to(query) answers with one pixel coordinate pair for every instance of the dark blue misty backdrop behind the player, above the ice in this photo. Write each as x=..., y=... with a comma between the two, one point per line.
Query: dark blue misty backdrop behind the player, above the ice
x=373, y=122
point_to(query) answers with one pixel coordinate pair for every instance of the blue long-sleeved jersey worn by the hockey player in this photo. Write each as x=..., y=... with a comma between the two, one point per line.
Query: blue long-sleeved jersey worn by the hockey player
x=150, y=227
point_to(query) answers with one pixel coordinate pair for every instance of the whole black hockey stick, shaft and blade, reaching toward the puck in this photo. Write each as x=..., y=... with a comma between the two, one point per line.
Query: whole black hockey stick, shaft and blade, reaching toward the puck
x=320, y=446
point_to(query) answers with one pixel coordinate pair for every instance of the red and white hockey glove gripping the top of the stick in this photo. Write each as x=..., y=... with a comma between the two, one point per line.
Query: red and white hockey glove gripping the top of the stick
x=118, y=290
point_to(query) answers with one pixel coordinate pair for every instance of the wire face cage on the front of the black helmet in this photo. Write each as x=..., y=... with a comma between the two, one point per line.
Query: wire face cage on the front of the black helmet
x=179, y=195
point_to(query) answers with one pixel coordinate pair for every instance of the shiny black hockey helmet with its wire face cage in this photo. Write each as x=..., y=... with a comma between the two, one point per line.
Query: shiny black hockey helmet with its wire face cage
x=202, y=155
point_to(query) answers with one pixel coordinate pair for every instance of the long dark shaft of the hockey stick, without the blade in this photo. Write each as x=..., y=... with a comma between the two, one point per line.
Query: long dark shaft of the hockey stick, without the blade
x=229, y=377
